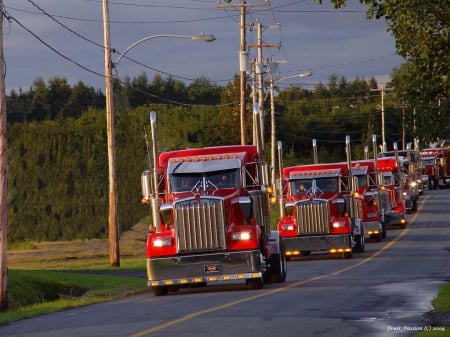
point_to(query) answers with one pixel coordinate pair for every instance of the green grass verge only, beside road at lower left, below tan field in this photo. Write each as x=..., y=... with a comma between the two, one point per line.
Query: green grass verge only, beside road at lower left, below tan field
x=33, y=293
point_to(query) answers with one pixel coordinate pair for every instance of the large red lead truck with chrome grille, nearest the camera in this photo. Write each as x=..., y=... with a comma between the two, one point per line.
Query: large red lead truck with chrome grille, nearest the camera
x=210, y=218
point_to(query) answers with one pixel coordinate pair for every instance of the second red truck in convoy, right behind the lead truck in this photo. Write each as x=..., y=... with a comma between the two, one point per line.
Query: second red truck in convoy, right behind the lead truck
x=317, y=210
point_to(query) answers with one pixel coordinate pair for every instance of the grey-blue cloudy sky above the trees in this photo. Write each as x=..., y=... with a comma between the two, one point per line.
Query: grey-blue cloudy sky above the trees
x=64, y=38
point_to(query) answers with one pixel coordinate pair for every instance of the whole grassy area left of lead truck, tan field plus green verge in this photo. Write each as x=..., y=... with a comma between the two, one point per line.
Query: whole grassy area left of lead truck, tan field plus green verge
x=54, y=276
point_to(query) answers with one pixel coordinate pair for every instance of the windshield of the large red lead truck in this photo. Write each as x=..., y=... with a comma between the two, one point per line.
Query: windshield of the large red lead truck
x=181, y=182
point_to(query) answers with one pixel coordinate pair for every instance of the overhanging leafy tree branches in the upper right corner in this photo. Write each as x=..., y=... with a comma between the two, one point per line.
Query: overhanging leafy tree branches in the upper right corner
x=422, y=33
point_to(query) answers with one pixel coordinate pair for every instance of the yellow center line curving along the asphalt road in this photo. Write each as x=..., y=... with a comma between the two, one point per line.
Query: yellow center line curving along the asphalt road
x=277, y=290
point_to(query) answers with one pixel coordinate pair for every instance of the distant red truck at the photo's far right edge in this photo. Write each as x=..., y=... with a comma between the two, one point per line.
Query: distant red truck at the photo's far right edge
x=436, y=165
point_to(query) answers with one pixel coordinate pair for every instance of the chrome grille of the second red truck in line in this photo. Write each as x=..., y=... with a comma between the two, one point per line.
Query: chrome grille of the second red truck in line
x=313, y=218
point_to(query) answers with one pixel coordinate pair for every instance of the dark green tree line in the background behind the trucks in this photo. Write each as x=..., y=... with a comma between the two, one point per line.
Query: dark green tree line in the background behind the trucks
x=58, y=165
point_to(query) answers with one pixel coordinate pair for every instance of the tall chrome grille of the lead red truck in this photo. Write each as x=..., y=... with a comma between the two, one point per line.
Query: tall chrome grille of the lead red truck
x=200, y=225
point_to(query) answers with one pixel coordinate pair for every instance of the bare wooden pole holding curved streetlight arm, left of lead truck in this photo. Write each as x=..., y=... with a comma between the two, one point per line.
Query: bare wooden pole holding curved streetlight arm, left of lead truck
x=114, y=255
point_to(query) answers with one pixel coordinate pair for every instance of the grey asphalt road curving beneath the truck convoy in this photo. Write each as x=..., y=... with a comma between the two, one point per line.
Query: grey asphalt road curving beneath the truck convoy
x=382, y=292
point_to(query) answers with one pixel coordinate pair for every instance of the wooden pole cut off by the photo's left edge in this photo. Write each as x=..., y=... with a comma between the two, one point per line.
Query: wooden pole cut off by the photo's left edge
x=3, y=180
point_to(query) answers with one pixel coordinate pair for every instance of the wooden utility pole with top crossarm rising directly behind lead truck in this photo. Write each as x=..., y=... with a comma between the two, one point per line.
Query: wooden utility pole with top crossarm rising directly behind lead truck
x=242, y=59
